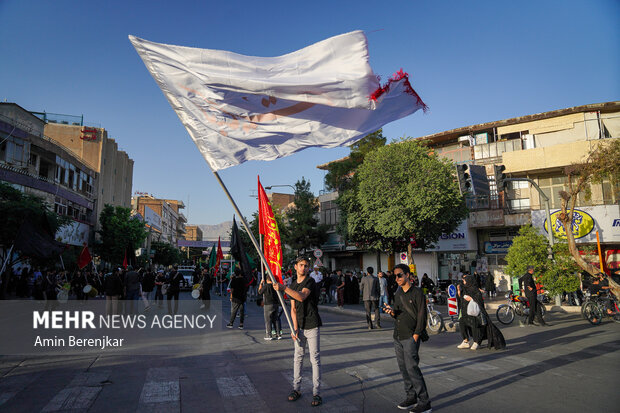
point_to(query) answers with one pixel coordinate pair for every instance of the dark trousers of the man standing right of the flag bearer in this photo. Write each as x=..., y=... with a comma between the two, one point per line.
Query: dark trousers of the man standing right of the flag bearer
x=408, y=360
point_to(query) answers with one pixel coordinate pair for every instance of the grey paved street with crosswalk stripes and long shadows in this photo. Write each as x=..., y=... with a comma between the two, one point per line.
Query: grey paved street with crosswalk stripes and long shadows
x=568, y=367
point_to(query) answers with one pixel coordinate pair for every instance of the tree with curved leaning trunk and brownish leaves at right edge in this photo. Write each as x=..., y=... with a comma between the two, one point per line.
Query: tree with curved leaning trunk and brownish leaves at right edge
x=600, y=163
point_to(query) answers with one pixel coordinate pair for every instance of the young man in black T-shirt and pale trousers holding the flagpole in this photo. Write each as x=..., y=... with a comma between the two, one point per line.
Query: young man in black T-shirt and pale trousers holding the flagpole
x=306, y=328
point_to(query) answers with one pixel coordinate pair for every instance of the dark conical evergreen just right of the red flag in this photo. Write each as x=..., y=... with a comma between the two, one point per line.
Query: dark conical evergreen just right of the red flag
x=303, y=225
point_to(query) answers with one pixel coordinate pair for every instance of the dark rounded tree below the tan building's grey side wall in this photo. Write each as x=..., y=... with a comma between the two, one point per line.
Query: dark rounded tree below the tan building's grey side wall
x=119, y=232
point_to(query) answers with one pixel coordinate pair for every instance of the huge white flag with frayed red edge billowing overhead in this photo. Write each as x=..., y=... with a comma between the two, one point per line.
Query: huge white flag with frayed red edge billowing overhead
x=238, y=108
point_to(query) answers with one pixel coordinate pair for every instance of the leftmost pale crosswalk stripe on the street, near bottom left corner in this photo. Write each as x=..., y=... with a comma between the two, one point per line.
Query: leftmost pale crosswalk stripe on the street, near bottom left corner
x=80, y=393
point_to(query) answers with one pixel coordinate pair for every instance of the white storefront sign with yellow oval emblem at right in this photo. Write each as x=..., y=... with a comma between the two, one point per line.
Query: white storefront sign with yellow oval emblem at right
x=586, y=221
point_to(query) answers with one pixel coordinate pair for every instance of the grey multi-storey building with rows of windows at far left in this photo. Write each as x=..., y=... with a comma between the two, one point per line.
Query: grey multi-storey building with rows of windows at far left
x=41, y=166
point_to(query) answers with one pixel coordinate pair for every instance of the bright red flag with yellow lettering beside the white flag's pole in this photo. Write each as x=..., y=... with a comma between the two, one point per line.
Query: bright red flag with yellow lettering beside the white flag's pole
x=268, y=227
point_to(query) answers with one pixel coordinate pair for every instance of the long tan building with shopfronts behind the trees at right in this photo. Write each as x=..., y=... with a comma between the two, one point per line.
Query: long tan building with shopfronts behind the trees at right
x=538, y=147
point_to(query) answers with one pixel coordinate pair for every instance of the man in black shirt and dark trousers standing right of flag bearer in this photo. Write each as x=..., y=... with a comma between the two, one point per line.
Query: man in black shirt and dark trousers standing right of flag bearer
x=409, y=312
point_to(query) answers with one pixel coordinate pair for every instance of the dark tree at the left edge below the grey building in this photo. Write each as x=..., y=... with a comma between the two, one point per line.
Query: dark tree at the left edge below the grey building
x=15, y=208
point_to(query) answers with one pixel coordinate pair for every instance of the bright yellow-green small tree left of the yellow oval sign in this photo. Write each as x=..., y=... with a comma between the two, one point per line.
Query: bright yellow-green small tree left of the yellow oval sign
x=528, y=248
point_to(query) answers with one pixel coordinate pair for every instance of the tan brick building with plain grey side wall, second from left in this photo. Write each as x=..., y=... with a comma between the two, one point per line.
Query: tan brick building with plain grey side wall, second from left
x=101, y=153
